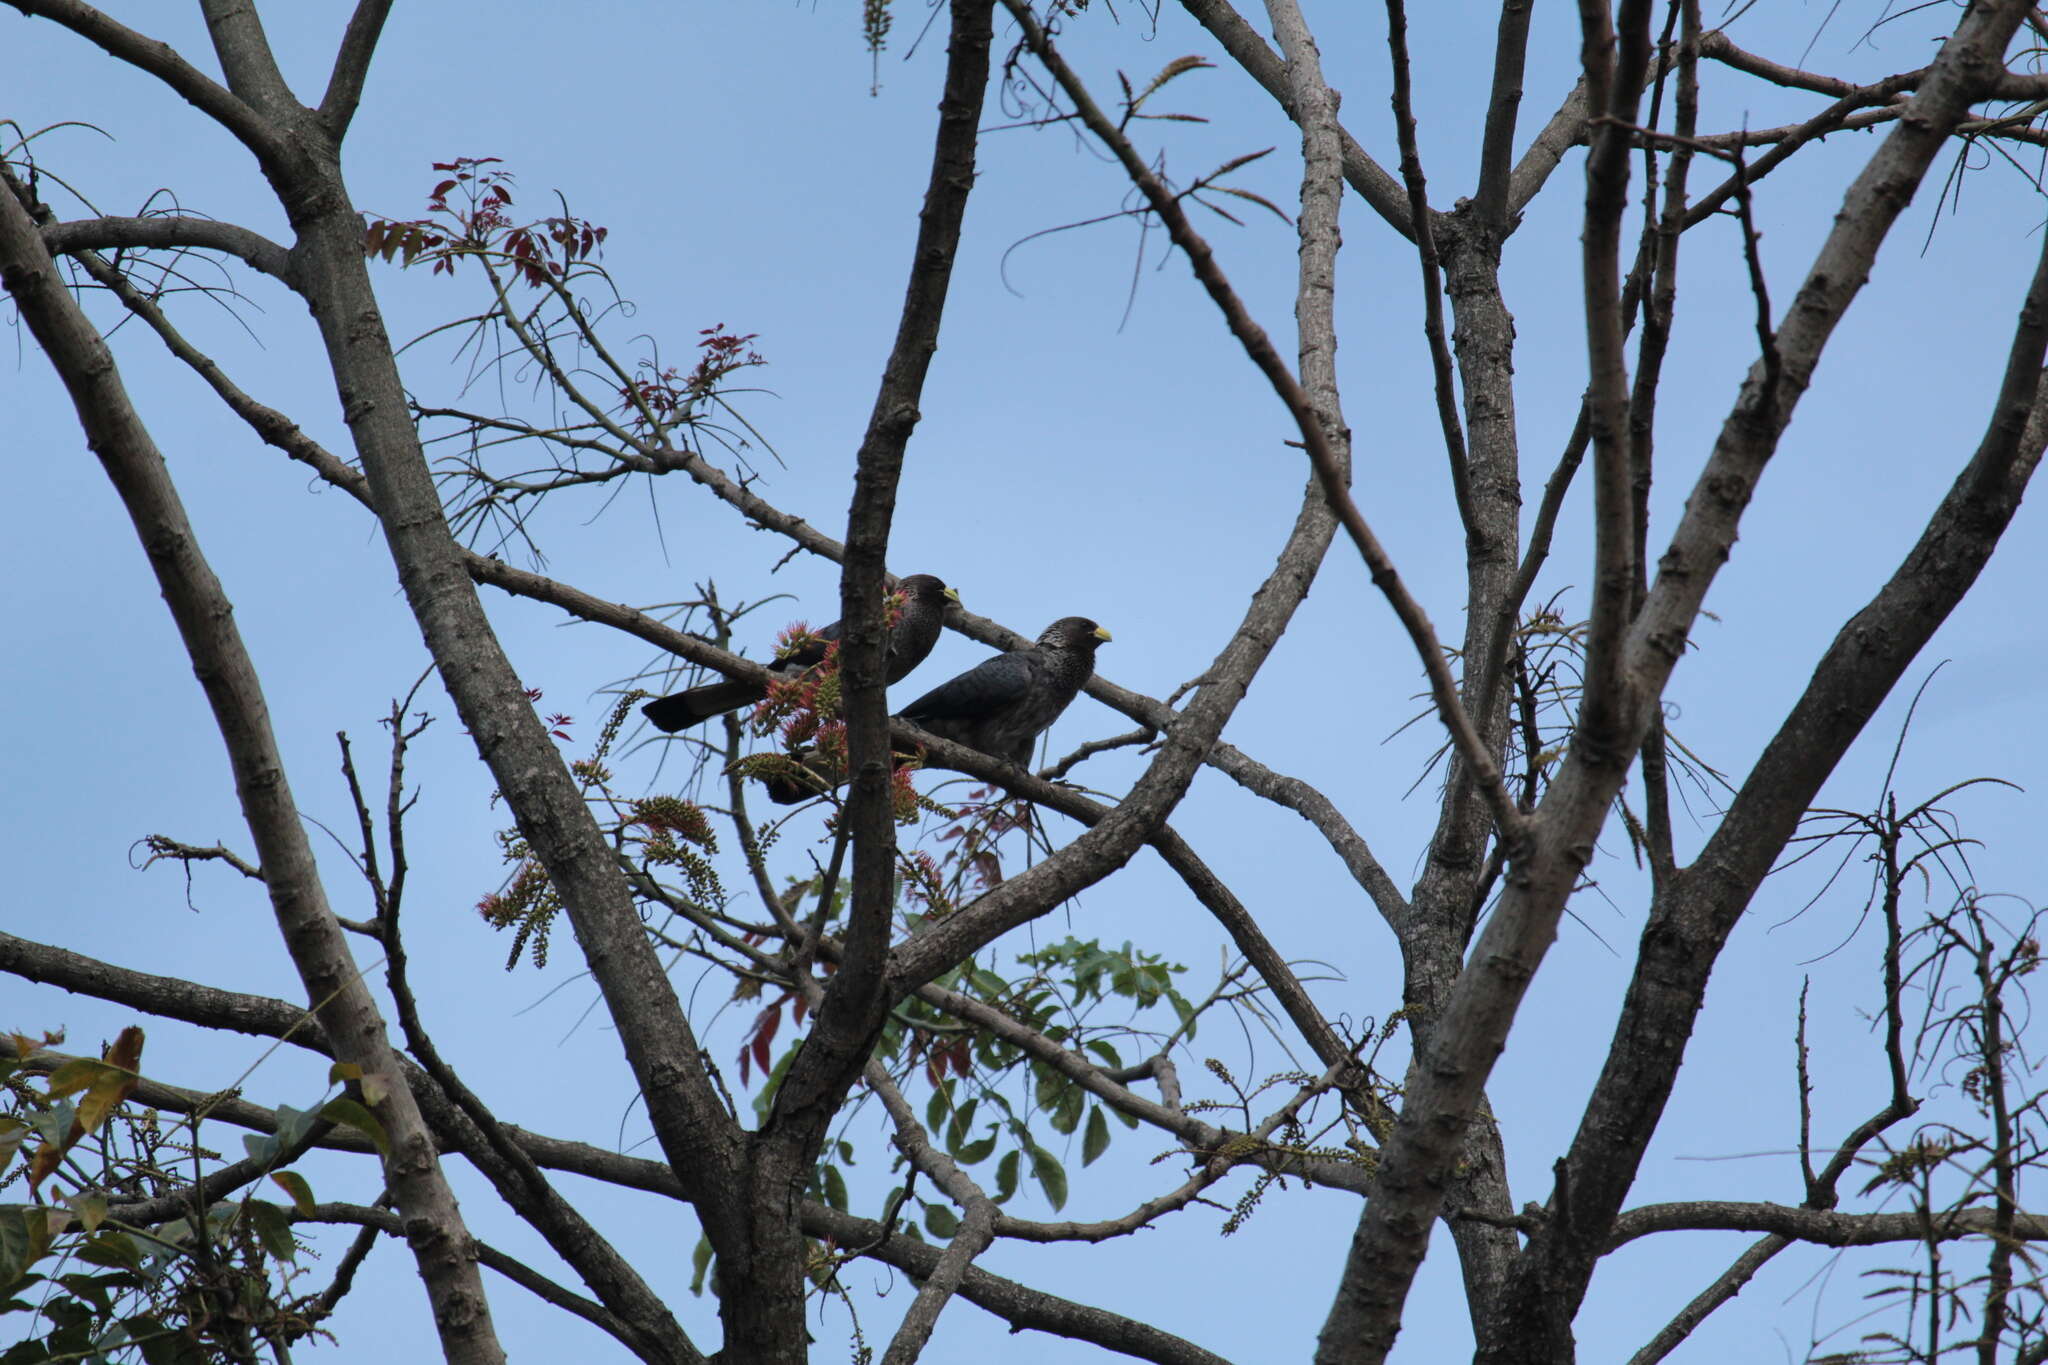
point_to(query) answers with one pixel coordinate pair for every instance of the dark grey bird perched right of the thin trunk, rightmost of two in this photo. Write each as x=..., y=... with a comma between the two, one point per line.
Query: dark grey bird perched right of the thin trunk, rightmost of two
x=998, y=707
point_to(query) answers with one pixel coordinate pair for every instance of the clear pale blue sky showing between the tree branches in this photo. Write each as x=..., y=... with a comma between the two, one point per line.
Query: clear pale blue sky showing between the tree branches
x=1070, y=461
